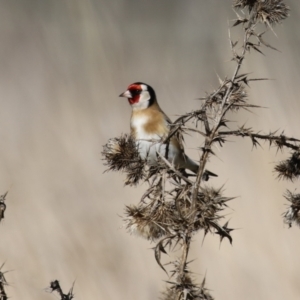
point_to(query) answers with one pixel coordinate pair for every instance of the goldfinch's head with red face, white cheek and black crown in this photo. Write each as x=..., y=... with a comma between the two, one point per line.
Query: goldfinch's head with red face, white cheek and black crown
x=140, y=95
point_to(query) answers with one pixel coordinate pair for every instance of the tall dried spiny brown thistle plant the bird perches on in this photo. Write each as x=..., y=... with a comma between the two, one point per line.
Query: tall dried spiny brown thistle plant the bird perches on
x=175, y=206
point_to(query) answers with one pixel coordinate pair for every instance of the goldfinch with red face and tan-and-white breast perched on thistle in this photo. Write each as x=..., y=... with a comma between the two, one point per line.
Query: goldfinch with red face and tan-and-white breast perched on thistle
x=150, y=127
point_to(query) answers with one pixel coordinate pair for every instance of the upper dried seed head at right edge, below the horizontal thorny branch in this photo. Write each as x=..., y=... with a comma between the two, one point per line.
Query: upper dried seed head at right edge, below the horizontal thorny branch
x=290, y=168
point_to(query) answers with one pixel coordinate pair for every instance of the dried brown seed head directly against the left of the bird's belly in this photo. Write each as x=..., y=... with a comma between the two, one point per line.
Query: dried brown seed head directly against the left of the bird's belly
x=122, y=154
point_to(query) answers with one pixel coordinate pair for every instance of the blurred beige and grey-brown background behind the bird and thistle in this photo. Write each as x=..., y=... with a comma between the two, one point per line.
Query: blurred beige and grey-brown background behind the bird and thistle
x=62, y=66
